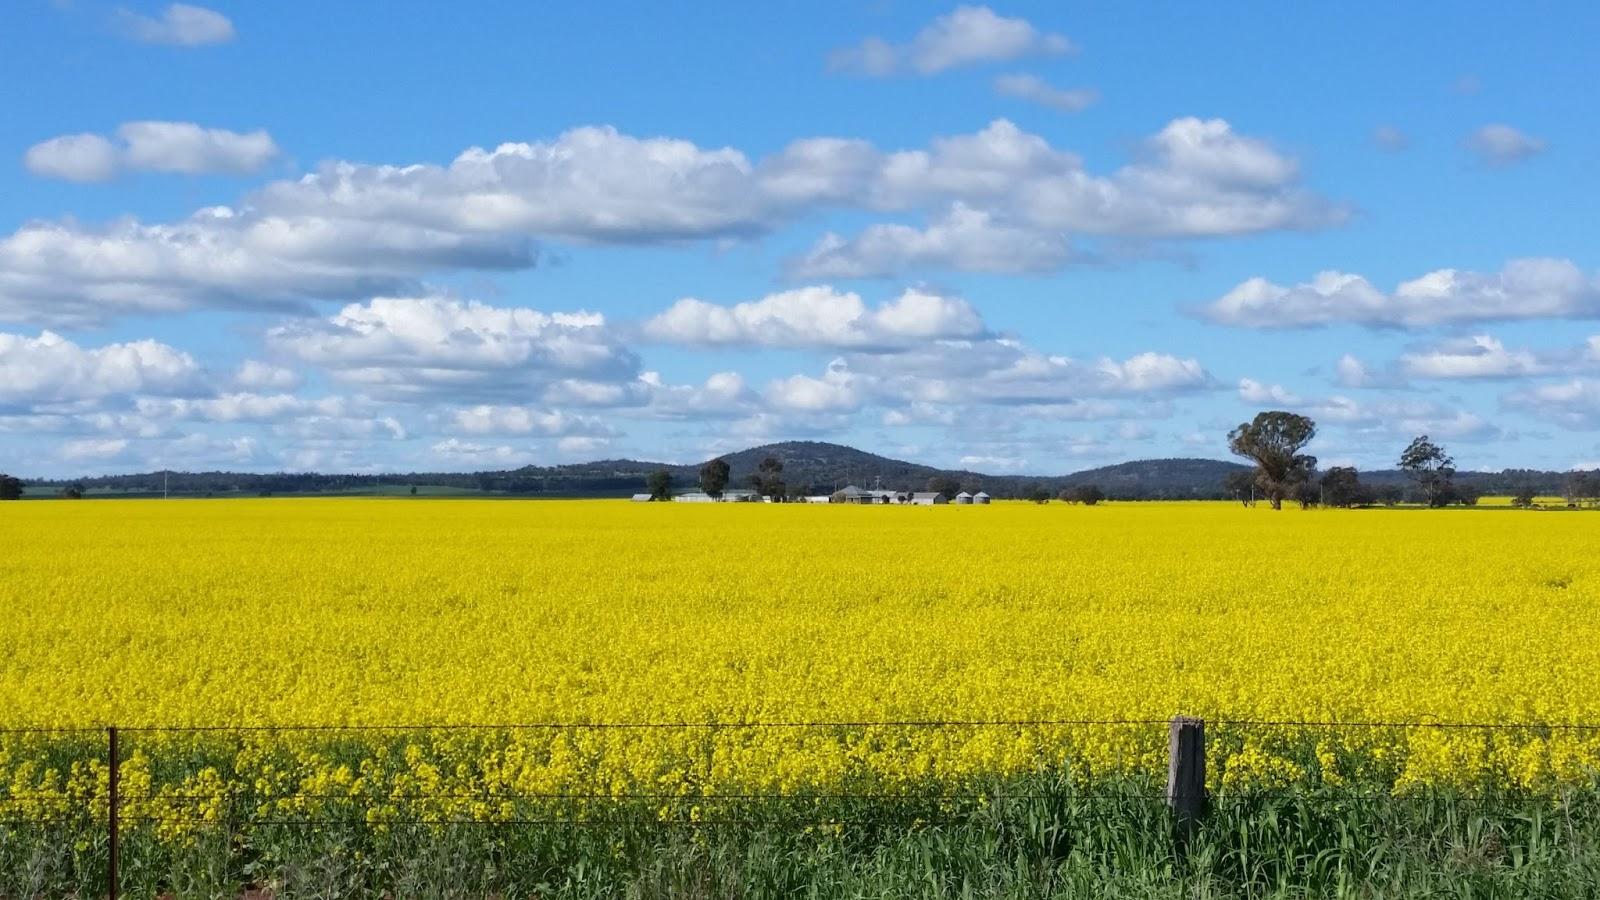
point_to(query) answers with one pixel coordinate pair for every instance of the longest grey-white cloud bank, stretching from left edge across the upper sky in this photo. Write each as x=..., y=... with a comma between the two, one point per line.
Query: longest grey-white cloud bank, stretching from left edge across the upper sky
x=998, y=201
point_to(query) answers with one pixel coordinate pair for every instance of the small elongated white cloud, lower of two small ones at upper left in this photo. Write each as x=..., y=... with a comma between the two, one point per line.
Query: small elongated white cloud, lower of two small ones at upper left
x=153, y=147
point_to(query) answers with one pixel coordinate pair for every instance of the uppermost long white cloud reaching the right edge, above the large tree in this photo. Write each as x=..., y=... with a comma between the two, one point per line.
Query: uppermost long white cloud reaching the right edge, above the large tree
x=1524, y=289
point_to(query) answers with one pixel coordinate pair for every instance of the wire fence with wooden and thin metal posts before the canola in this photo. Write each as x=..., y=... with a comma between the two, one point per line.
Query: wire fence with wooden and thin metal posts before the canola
x=254, y=808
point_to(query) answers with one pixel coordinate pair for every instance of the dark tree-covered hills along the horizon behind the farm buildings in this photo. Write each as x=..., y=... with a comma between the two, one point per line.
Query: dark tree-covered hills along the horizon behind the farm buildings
x=809, y=465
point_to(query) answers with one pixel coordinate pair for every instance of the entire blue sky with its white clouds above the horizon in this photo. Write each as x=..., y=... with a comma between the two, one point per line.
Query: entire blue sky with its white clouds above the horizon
x=1023, y=238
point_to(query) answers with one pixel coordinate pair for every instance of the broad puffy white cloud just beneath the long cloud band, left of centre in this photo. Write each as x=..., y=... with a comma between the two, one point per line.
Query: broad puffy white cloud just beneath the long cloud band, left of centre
x=420, y=348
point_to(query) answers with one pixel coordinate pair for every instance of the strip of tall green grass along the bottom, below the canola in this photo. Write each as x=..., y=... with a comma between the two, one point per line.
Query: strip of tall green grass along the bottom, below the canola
x=1031, y=840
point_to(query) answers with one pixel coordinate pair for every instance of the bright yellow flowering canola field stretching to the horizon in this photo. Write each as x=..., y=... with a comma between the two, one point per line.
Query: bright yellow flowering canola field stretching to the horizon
x=1052, y=619
